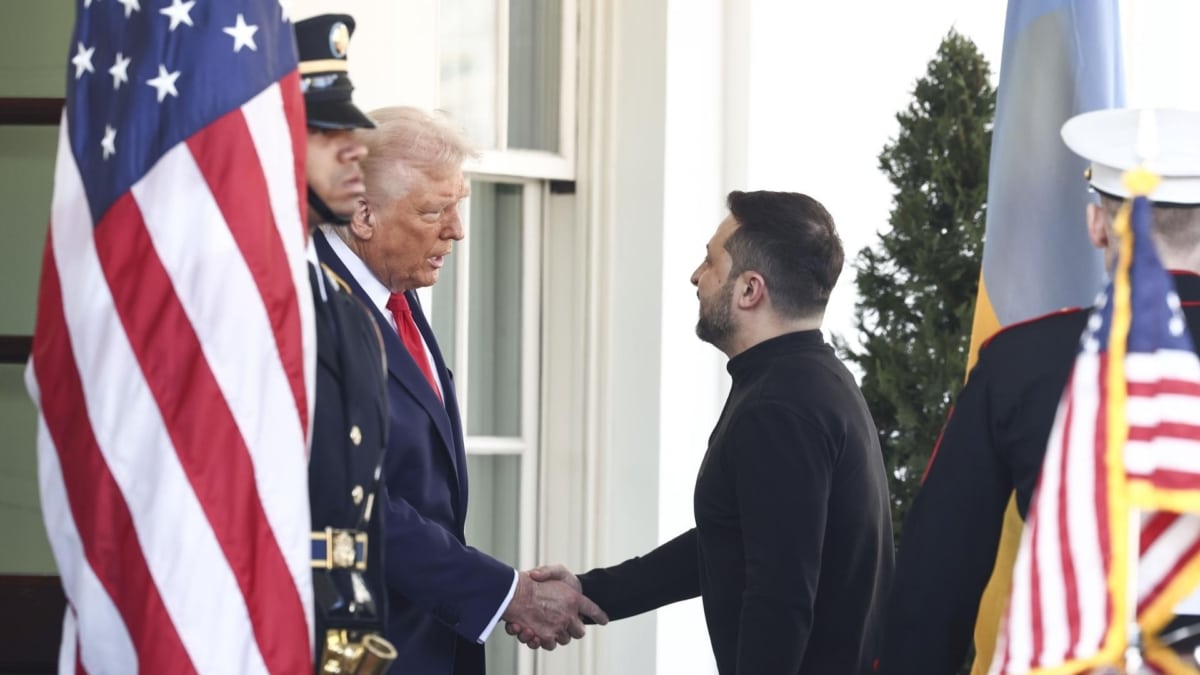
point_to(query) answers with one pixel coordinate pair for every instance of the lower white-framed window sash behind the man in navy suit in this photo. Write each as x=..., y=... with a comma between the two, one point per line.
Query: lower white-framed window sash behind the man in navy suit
x=484, y=312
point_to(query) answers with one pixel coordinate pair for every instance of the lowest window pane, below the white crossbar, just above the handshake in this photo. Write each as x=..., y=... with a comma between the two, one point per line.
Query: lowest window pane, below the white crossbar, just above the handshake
x=494, y=528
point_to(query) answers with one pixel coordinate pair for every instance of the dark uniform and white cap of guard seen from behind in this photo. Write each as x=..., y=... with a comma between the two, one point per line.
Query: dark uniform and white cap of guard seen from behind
x=997, y=437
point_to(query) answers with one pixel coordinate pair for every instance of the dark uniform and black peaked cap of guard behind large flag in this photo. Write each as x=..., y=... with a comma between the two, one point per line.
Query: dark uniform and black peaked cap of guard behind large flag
x=351, y=411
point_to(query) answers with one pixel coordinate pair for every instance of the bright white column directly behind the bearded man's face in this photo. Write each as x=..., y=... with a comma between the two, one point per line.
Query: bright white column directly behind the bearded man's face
x=693, y=373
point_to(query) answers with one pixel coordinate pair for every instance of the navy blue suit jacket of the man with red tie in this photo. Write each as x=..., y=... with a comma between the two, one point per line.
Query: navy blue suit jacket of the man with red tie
x=441, y=593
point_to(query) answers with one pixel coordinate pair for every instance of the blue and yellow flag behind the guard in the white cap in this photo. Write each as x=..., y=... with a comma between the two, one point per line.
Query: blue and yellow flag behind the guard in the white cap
x=1061, y=58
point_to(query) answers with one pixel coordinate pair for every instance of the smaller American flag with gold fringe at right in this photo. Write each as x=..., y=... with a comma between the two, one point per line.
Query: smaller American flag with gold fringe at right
x=1125, y=444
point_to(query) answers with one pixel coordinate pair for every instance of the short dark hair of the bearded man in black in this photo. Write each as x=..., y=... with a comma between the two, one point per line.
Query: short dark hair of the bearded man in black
x=791, y=241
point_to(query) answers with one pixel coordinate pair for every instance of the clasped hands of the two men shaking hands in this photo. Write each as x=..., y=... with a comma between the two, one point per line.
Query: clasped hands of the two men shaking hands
x=549, y=607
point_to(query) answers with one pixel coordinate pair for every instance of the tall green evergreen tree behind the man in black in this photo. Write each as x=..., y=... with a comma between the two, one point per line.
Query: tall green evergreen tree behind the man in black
x=917, y=284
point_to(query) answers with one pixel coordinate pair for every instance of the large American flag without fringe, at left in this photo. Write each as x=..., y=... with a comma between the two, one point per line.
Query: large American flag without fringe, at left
x=171, y=361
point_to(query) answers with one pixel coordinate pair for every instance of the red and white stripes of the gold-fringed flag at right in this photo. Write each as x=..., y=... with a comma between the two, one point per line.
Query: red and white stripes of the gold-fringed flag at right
x=1061, y=608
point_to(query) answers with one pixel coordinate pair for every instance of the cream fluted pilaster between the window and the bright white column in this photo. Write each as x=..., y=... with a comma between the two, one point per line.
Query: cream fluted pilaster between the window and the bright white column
x=621, y=206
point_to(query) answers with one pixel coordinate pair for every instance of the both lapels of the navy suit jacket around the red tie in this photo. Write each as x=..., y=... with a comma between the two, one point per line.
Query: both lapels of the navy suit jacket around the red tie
x=401, y=366
